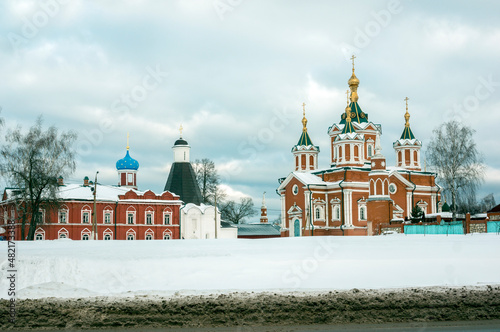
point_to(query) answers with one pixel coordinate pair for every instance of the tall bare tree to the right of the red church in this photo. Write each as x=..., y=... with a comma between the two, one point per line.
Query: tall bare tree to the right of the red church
x=453, y=152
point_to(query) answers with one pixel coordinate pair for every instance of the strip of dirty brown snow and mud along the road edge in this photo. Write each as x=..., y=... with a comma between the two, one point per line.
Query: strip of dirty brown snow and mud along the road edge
x=248, y=311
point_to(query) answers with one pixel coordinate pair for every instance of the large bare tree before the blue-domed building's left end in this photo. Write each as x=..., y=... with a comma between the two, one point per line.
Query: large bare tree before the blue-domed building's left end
x=31, y=163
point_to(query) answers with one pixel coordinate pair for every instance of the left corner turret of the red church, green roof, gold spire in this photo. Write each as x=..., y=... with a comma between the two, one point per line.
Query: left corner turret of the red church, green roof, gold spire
x=305, y=152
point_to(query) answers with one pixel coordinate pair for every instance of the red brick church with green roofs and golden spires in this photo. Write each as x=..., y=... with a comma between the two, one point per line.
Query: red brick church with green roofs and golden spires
x=358, y=190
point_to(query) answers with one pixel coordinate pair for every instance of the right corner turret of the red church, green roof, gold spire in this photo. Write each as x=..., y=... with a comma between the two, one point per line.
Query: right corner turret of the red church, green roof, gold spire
x=408, y=147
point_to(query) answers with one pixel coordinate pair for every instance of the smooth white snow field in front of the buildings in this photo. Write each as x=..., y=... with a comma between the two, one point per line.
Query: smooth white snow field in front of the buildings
x=70, y=269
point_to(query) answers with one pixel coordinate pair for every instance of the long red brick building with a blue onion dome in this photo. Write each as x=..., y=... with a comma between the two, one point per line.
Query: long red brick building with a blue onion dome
x=122, y=212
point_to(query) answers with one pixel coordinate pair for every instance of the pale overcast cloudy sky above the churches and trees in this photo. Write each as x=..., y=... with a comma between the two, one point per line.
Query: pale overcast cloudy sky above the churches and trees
x=235, y=73
